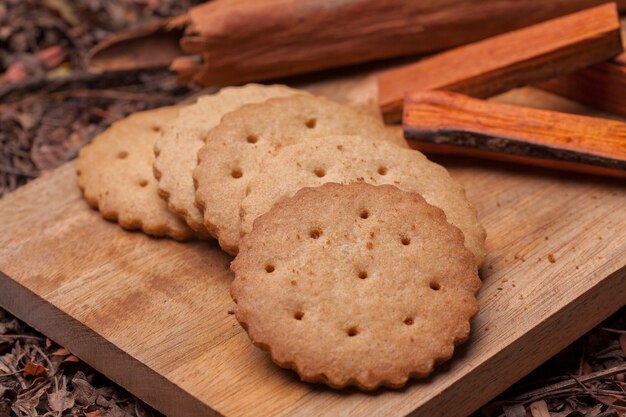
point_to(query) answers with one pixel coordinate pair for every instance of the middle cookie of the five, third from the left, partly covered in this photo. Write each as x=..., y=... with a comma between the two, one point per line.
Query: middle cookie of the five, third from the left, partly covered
x=235, y=149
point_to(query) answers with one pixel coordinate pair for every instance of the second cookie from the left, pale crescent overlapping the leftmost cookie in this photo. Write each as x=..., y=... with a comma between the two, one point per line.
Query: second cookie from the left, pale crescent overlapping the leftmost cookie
x=177, y=149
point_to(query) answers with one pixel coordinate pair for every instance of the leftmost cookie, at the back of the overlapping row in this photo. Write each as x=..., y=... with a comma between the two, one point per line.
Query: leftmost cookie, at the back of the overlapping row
x=115, y=175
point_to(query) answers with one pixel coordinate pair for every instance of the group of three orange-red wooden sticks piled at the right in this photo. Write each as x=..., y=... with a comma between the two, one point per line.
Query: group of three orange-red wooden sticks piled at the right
x=438, y=112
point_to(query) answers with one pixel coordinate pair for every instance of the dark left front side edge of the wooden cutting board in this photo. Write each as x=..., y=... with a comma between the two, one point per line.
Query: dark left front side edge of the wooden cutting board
x=111, y=361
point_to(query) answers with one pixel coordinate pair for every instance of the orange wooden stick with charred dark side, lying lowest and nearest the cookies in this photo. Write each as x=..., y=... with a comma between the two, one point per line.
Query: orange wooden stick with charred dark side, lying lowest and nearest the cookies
x=475, y=127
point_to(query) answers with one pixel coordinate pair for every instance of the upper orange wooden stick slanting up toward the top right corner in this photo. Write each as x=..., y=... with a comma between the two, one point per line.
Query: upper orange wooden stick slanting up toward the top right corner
x=514, y=59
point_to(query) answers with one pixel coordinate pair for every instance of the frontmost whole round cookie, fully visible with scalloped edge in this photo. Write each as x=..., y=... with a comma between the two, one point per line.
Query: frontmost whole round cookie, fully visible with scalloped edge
x=355, y=285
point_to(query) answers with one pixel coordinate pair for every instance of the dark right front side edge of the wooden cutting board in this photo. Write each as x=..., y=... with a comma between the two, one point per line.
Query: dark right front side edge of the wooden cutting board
x=606, y=298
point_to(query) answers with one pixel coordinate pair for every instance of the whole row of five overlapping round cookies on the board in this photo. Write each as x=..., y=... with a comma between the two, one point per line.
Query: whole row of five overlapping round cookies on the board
x=356, y=257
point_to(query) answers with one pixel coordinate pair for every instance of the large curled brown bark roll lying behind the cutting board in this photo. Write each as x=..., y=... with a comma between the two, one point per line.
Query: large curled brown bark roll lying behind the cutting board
x=246, y=40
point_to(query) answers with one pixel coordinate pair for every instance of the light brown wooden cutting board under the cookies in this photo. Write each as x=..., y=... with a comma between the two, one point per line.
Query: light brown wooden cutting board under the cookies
x=153, y=315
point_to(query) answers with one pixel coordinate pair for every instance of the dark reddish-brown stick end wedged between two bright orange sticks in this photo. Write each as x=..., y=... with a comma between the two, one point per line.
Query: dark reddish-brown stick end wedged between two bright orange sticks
x=602, y=86
